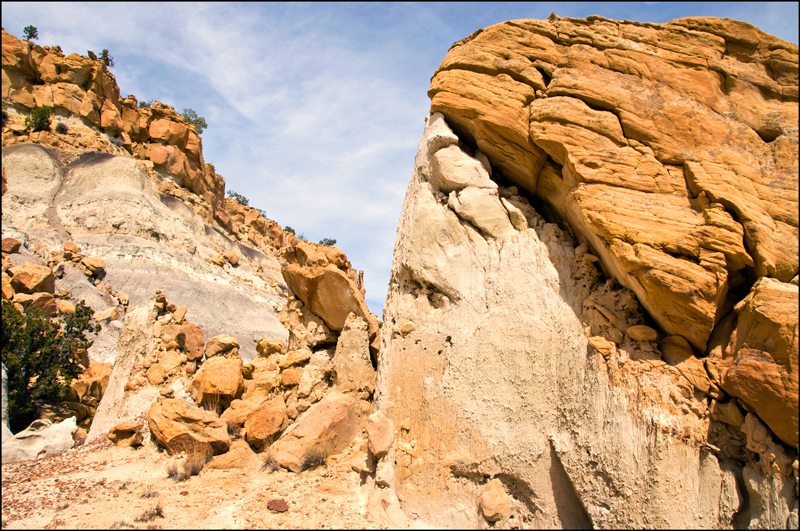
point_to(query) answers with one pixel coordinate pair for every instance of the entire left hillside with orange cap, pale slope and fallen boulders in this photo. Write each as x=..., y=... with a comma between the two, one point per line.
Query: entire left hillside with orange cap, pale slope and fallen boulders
x=116, y=203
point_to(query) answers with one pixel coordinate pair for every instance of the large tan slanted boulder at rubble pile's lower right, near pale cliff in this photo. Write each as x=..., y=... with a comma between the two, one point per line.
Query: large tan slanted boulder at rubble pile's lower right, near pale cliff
x=325, y=429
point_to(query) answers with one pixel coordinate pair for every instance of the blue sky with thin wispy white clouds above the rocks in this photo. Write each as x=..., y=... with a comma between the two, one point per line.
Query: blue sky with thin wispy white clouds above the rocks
x=315, y=110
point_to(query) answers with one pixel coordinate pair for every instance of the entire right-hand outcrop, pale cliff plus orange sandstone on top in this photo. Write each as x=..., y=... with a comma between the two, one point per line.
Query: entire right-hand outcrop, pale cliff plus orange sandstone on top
x=664, y=155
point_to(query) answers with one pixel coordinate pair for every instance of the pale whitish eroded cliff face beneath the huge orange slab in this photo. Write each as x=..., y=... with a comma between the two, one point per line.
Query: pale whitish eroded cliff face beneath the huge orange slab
x=495, y=380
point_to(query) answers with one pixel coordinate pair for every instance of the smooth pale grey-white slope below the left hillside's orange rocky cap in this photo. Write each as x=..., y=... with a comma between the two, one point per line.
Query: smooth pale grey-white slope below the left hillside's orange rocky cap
x=113, y=210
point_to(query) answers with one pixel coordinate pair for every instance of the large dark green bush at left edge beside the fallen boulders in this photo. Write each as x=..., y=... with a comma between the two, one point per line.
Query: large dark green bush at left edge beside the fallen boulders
x=41, y=357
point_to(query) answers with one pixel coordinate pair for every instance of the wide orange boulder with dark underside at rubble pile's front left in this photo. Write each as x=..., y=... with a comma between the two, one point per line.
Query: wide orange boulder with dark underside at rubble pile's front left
x=183, y=427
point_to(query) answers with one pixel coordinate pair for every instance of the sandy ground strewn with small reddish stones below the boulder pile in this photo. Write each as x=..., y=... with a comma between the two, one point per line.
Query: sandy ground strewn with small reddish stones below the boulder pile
x=101, y=486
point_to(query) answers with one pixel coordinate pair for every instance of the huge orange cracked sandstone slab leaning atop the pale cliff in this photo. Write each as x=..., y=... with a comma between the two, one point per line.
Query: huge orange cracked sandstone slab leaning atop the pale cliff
x=617, y=126
